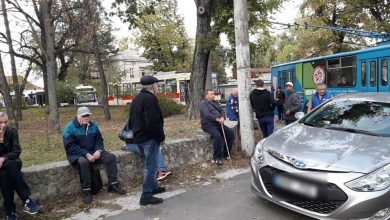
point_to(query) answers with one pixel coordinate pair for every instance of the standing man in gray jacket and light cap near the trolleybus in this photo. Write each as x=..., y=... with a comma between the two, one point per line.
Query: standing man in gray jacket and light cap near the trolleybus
x=291, y=105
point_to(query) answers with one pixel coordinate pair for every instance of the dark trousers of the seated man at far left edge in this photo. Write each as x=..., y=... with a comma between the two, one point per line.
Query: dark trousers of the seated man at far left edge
x=11, y=179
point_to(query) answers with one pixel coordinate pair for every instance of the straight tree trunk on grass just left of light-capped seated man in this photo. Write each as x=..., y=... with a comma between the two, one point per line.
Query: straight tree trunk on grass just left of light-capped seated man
x=54, y=125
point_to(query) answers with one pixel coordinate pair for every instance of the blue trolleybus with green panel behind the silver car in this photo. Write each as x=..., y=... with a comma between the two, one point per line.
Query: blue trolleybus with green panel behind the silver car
x=365, y=70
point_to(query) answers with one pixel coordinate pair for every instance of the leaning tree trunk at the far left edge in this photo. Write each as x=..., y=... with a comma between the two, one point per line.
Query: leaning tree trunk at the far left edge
x=18, y=96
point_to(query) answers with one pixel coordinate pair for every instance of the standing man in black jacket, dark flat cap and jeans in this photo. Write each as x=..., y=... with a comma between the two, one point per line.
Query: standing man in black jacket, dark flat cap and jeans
x=147, y=123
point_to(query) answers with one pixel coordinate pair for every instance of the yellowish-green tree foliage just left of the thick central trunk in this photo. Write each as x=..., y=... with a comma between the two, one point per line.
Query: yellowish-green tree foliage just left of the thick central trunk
x=161, y=33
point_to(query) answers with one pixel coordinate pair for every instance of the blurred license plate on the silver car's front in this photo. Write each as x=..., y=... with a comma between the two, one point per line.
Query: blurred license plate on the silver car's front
x=295, y=186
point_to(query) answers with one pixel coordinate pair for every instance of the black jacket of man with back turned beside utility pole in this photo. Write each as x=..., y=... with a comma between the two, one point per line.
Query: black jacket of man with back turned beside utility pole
x=262, y=102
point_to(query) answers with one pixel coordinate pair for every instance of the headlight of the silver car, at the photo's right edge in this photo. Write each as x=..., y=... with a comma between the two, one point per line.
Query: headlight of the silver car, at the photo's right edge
x=375, y=181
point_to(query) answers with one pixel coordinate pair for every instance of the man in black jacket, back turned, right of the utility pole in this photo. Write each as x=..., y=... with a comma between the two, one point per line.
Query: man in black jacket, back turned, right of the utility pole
x=263, y=103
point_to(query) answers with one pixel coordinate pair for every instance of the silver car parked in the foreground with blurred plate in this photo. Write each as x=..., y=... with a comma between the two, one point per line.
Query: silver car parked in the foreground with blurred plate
x=334, y=163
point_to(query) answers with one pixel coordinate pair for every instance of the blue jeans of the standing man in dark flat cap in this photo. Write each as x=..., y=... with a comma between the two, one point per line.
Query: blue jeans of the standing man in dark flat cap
x=150, y=151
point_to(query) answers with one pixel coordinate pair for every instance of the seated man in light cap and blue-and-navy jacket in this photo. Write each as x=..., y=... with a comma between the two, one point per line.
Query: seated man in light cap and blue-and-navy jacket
x=84, y=146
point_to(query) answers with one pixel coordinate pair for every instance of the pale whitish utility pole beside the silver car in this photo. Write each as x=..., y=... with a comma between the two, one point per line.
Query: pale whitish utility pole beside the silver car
x=243, y=75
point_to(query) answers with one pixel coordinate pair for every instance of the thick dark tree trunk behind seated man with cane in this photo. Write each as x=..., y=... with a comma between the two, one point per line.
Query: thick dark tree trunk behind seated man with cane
x=201, y=57
